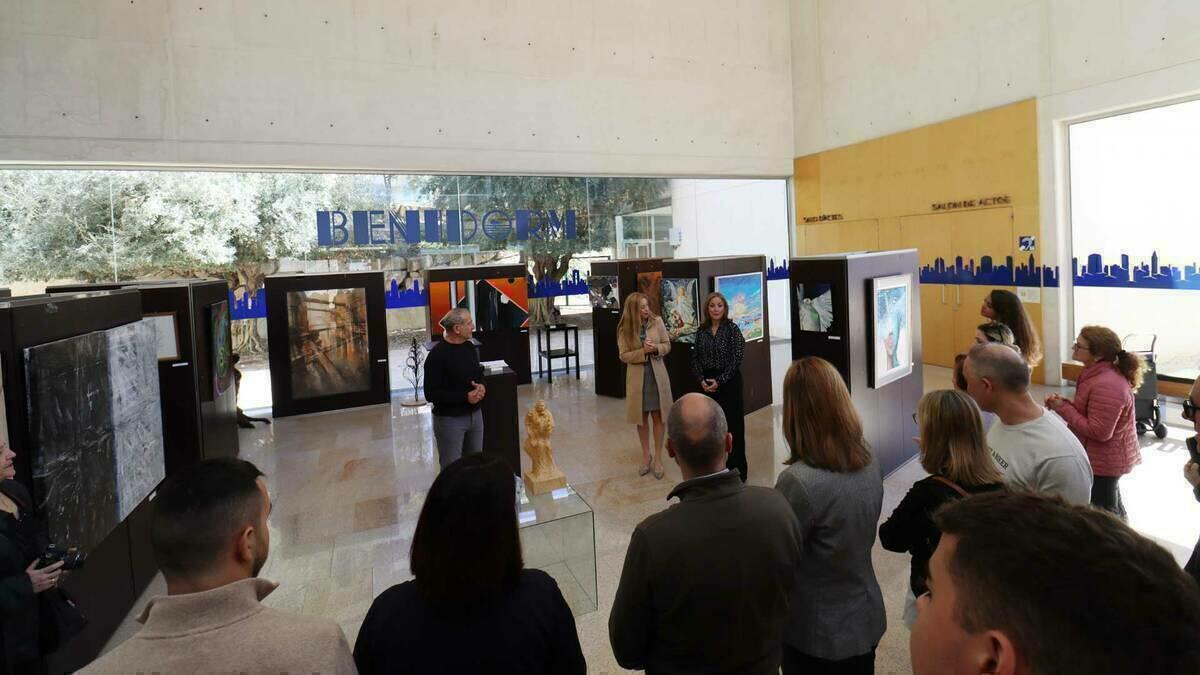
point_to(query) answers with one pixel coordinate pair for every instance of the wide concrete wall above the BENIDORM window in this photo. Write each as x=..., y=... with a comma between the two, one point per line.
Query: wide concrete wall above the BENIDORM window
x=620, y=87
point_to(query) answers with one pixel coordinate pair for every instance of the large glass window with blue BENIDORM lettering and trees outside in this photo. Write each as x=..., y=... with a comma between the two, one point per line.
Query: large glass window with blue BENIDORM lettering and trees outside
x=83, y=226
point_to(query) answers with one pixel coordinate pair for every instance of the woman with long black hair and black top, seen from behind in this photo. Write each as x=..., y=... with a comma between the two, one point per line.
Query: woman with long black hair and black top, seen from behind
x=472, y=608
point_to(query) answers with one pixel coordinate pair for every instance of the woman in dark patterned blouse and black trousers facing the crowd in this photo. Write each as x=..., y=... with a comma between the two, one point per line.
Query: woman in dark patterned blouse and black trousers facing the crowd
x=717, y=366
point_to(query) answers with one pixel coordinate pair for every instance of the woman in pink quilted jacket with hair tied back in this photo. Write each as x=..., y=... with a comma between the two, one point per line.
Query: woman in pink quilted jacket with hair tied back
x=1102, y=415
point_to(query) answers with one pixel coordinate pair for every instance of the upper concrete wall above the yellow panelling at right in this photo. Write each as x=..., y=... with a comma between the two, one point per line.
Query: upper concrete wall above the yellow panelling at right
x=866, y=69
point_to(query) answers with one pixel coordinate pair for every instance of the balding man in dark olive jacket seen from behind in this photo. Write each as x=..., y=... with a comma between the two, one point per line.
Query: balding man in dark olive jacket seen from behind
x=706, y=582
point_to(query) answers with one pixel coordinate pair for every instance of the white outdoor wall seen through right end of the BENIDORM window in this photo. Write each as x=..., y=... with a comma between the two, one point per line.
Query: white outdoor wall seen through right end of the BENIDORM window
x=737, y=218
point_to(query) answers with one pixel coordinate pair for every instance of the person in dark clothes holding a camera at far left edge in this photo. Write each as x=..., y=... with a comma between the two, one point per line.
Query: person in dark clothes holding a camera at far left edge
x=21, y=543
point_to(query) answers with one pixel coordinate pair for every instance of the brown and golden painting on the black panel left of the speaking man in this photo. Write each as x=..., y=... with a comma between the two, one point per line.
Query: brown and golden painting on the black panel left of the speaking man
x=328, y=343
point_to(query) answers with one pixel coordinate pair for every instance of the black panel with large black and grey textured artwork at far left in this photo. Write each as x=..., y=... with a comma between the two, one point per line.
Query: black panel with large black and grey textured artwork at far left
x=81, y=403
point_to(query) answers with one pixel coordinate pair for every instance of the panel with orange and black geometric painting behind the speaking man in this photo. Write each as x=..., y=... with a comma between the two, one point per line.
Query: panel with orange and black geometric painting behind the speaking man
x=499, y=300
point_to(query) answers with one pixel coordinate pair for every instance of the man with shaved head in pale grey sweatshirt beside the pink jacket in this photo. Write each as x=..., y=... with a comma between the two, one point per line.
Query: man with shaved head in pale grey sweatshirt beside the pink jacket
x=1033, y=447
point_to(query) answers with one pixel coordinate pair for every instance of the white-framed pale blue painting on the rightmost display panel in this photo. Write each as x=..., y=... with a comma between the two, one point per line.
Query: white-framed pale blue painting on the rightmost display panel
x=892, y=328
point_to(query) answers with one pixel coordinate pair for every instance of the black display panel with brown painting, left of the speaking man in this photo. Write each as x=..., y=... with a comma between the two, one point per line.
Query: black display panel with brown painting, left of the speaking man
x=328, y=342
